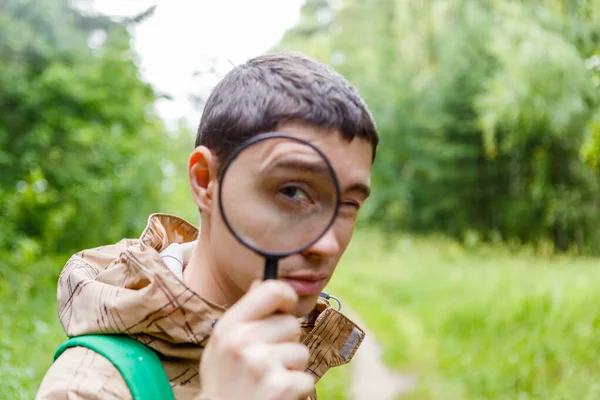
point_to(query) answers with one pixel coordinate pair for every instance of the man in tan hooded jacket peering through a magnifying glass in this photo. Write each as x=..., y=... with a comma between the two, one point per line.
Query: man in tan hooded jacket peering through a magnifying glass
x=220, y=332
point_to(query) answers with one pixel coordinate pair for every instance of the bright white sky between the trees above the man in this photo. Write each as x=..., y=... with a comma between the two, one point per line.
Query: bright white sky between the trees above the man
x=186, y=36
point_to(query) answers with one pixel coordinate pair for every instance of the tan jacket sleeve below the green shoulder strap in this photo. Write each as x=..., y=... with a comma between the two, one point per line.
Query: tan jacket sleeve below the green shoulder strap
x=82, y=374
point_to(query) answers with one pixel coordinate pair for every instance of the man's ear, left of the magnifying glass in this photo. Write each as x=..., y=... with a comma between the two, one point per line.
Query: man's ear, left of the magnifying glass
x=202, y=169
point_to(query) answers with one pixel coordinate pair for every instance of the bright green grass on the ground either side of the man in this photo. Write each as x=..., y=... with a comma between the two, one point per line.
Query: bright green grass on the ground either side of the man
x=484, y=323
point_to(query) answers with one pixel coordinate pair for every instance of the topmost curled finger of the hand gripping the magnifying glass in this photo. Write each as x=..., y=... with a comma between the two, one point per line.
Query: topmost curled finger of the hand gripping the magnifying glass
x=265, y=299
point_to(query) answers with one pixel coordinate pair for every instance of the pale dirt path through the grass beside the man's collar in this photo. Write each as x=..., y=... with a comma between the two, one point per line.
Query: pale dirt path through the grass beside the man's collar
x=371, y=379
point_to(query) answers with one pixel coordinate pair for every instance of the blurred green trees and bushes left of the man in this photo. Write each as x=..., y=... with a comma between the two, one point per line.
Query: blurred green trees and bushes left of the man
x=80, y=144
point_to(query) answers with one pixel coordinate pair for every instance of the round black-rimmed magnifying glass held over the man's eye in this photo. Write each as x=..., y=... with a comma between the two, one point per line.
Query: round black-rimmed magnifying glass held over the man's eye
x=278, y=195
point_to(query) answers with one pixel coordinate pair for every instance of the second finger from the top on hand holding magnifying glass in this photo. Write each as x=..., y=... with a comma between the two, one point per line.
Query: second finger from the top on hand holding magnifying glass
x=275, y=328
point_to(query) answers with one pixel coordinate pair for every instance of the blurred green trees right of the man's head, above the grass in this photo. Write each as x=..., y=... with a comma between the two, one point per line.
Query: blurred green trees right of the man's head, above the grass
x=487, y=110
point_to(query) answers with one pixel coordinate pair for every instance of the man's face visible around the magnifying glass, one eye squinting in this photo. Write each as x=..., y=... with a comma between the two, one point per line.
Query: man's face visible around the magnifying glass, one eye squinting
x=311, y=270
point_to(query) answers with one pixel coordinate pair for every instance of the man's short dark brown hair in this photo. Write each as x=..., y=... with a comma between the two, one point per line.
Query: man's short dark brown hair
x=264, y=92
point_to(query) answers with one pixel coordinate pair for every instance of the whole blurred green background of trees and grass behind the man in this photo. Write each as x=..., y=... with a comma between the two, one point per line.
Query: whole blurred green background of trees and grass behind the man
x=475, y=261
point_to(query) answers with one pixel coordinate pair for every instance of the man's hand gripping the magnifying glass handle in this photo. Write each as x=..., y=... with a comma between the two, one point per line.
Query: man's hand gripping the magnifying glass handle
x=254, y=353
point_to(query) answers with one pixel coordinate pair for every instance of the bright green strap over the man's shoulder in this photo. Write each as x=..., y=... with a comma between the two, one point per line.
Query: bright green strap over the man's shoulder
x=139, y=365
